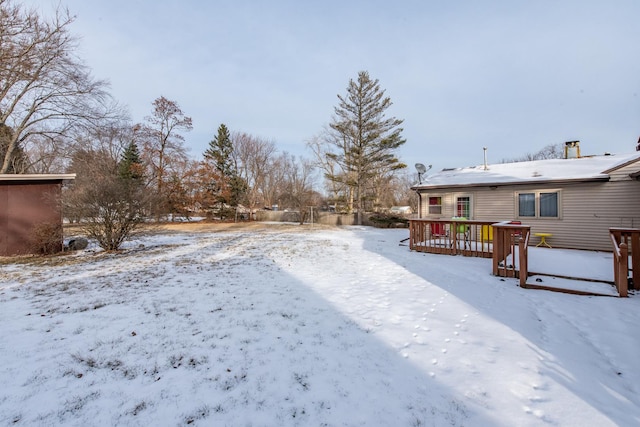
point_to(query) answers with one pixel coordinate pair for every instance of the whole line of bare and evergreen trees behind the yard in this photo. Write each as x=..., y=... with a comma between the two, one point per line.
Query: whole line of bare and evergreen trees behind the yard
x=56, y=117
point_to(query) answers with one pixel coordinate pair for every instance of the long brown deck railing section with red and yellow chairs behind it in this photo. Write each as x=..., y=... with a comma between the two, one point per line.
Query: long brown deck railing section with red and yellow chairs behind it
x=452, y=237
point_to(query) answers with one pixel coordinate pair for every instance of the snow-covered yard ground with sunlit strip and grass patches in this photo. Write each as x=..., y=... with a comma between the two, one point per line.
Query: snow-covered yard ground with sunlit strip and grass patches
x=312, y=327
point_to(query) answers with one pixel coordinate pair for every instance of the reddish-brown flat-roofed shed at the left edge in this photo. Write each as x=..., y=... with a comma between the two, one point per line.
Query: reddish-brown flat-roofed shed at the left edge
x=28, y=202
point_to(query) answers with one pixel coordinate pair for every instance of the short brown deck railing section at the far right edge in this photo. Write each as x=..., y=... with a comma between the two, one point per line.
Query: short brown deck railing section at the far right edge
x=626, y=252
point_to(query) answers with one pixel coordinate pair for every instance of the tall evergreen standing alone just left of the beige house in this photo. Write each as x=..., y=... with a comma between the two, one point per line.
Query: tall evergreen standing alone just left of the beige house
x=365, y=140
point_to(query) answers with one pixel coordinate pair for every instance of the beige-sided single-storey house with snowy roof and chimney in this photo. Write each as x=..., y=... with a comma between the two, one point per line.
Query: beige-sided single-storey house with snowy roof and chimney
x=574, y=199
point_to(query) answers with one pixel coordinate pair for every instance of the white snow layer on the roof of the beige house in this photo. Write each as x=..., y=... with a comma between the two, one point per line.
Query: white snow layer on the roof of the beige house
x=583, y=168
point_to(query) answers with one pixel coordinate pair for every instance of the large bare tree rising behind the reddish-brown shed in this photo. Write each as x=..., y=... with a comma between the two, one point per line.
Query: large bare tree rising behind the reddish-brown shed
x=45, y=90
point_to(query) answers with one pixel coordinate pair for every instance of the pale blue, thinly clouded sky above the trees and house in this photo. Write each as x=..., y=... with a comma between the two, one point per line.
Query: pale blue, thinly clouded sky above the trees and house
x=512, y=76
